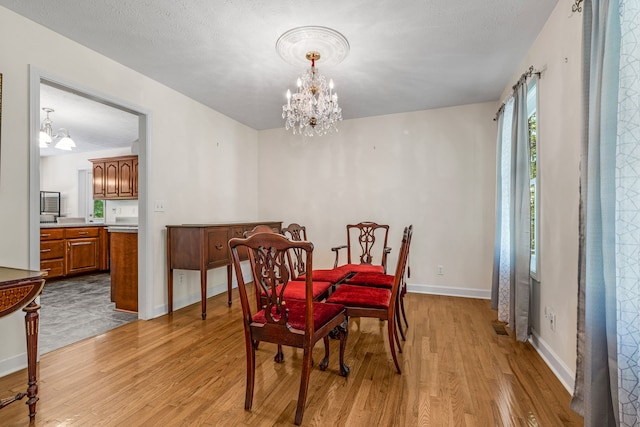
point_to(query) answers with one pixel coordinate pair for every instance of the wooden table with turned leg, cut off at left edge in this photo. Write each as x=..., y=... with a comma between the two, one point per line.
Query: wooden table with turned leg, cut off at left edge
x=18, y=290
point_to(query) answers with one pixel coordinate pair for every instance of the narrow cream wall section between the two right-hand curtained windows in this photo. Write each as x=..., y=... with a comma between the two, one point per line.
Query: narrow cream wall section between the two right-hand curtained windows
x=557, y=52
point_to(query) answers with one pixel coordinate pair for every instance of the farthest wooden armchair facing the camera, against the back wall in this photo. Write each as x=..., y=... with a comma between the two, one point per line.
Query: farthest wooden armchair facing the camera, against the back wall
x=362, y=251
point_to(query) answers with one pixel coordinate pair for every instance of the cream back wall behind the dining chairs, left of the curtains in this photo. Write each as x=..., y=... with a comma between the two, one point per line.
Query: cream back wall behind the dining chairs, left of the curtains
x=434, y=169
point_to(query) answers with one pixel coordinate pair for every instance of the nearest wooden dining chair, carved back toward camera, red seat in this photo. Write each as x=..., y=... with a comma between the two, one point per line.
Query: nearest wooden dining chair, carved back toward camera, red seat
x=295, y=323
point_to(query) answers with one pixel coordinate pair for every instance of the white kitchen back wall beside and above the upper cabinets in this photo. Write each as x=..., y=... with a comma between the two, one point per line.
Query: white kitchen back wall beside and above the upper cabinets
x=60, y=173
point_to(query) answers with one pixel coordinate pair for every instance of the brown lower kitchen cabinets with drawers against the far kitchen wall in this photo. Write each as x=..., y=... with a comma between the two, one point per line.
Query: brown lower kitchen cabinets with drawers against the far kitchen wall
x=68, y=251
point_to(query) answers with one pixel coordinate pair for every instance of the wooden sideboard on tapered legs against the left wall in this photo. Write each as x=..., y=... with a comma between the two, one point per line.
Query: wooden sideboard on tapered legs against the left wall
x=203, y=247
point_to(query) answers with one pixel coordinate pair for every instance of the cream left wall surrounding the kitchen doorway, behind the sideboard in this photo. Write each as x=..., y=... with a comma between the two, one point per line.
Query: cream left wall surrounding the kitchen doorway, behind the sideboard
x=201, y=163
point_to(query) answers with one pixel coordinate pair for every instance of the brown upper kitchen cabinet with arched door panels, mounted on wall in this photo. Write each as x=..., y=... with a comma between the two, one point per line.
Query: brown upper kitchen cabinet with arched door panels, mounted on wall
x=115, y=177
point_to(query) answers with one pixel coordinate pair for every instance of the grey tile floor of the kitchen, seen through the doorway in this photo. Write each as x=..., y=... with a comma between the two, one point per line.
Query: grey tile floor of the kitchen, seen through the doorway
x=77, y=308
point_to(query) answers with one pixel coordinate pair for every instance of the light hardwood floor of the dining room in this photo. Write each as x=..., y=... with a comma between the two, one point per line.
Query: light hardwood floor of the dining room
x=181, y=370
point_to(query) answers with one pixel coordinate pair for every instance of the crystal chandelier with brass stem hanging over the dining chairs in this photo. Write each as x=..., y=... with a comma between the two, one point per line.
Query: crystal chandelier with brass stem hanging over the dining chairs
x=313, y=109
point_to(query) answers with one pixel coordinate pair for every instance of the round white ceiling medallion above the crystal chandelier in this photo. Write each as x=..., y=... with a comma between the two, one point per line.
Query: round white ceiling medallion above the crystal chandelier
x=293, y=45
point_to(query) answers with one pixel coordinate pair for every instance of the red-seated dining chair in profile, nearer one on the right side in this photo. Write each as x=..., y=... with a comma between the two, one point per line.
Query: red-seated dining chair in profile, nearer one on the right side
x=376, y=302
